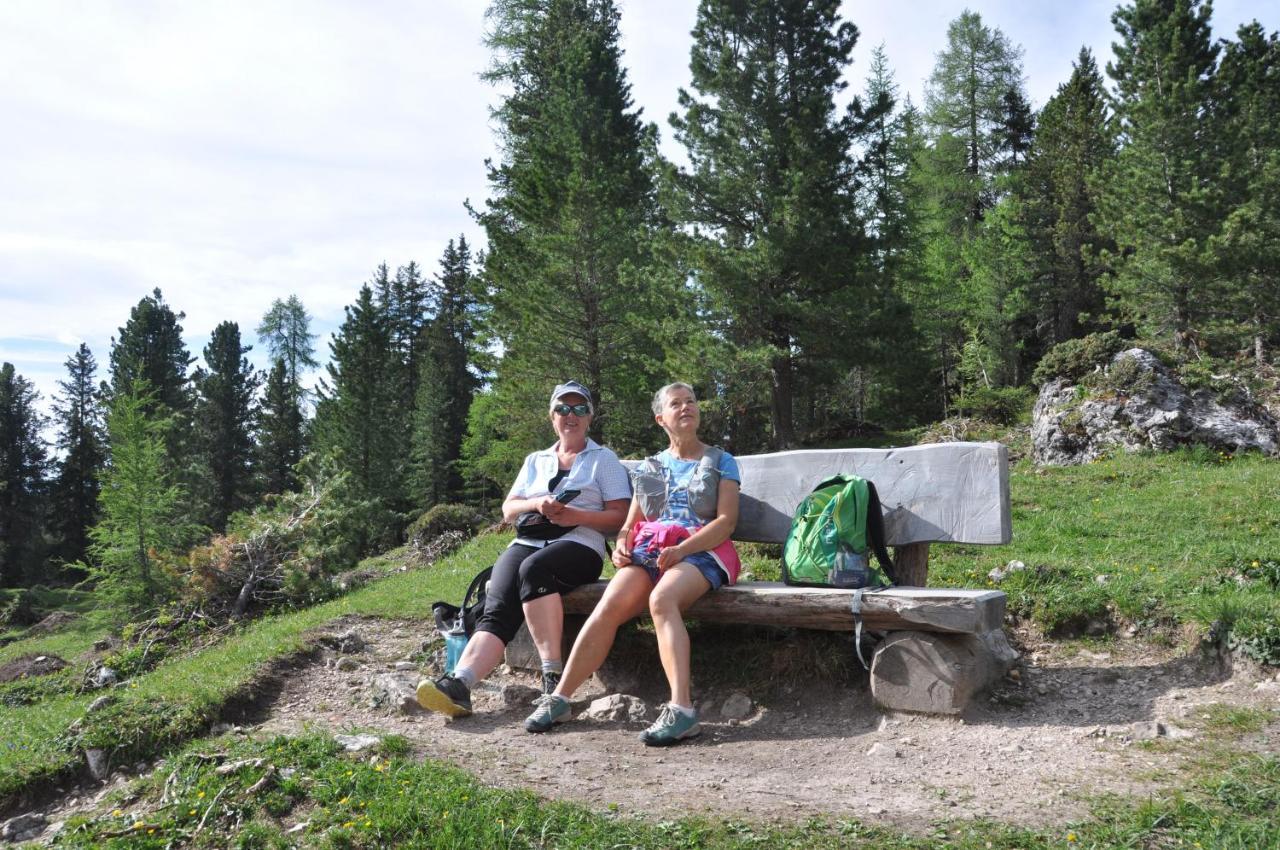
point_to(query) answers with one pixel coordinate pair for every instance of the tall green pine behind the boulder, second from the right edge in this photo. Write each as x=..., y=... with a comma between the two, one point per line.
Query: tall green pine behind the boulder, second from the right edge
x=1159, y=203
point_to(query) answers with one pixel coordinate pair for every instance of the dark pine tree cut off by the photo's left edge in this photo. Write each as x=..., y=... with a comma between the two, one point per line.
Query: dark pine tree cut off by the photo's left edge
x=22, y=479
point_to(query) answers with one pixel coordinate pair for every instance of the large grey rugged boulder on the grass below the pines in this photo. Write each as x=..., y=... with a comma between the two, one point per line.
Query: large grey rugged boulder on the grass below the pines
x=1137, y=403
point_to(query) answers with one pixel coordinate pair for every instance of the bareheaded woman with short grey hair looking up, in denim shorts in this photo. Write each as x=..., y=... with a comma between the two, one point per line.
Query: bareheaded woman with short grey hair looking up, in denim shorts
x=674, y=550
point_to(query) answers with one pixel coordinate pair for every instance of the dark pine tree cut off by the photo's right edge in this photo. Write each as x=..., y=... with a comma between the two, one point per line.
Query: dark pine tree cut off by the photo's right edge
x=1246, y=252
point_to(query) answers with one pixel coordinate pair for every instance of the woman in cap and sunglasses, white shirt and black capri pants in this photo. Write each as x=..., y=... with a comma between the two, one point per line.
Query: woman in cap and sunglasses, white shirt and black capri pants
x=533, y=573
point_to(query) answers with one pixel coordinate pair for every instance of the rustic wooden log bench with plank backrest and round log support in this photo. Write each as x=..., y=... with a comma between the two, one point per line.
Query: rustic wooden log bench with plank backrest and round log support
x=944, y=646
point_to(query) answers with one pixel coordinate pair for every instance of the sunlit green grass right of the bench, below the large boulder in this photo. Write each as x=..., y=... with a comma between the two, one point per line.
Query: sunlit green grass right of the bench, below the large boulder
x=1146, y=538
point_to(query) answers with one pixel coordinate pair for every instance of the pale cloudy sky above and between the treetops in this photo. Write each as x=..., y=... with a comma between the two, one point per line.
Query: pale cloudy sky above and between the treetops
x=241, y=152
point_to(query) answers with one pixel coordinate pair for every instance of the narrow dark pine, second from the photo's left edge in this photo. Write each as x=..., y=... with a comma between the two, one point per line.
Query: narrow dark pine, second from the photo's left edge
x=83, y=445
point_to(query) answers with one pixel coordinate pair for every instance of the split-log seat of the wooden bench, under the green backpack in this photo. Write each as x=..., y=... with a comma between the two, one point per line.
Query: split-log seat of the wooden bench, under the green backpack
x=771, y=604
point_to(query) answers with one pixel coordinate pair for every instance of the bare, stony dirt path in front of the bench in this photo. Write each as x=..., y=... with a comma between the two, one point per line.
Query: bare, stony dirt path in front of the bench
x=1066, y=730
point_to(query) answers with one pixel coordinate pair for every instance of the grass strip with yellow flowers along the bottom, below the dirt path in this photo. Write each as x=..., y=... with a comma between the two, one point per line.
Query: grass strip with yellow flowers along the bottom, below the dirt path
x=394, y=799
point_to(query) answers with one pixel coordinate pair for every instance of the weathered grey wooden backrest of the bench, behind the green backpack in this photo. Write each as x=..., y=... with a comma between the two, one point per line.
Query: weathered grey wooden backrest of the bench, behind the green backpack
x=941, y=492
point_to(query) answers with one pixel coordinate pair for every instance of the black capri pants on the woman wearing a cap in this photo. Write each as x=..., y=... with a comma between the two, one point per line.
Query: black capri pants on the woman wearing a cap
x=524, y=574
